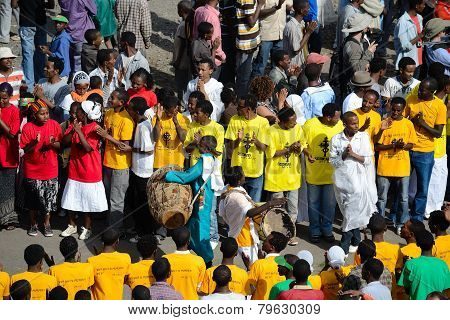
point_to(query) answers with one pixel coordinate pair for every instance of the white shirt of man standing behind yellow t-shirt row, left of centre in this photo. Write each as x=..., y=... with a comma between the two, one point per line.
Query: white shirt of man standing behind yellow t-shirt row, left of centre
x=213, y=89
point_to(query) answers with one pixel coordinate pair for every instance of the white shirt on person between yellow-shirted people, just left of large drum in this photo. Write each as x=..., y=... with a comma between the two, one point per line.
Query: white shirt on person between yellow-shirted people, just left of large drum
x=141, y=163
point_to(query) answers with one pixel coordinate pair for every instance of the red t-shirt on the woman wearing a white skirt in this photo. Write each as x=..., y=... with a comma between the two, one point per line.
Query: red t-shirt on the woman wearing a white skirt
x=85, y=166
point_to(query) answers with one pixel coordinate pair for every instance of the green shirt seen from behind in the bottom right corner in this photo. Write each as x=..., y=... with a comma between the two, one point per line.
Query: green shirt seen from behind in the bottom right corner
x=424, y=275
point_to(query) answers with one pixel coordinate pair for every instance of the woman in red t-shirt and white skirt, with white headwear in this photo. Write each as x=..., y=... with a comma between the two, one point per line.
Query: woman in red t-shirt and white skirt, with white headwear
x=84, y=191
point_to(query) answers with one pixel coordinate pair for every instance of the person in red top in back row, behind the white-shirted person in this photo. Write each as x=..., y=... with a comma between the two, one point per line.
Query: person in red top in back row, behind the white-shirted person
x=142, y=86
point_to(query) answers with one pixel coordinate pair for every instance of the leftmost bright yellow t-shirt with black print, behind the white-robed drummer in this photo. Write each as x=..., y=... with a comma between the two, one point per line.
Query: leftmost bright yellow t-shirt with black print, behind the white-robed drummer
x=246, y=154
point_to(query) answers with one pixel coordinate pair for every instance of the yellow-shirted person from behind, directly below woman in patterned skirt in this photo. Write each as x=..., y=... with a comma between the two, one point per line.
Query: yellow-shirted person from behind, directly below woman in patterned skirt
x=41, y=283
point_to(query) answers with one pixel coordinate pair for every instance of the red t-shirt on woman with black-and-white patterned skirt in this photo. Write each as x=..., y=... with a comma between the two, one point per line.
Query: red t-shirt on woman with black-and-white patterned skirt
x=40, y=164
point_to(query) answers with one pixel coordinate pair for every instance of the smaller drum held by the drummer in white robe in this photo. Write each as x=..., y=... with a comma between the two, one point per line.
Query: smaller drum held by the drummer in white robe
x=275, y=219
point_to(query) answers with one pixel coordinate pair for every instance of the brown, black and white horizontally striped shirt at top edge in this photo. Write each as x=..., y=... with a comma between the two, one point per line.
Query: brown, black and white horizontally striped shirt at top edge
x=248, y=38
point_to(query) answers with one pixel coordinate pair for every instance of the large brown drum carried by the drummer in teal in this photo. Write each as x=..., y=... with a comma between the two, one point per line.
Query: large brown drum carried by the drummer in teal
x=168, y=202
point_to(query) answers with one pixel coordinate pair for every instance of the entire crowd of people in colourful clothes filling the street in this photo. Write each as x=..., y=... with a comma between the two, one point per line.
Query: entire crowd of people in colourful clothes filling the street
x=251, y=126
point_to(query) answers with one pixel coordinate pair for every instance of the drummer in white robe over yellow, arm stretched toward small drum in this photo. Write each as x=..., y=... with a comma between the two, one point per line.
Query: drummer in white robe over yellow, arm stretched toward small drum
x=237, y=208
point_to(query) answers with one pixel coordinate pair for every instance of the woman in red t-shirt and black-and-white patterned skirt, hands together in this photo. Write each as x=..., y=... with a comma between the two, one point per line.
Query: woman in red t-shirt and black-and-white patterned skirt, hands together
x=40, y=141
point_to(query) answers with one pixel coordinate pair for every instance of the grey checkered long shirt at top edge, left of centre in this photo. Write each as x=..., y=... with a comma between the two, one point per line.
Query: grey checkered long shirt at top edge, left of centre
x=134, y=16
